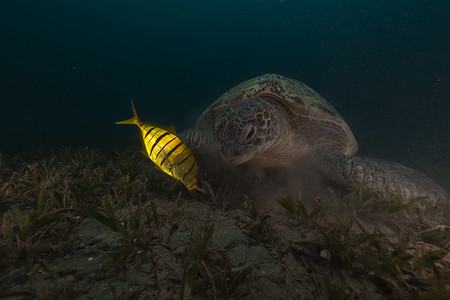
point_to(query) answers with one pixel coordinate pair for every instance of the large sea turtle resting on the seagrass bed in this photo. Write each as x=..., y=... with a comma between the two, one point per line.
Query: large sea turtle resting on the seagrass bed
x=273, y=121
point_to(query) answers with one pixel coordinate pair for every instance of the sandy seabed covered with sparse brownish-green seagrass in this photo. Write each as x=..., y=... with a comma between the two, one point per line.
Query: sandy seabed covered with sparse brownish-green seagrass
x=79, y=223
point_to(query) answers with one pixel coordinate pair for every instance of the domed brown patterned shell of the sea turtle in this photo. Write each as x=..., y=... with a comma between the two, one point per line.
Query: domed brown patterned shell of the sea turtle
x=308, y=116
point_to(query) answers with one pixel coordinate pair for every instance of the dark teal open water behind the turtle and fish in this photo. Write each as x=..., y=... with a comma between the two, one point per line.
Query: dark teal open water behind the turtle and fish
x=69, y=68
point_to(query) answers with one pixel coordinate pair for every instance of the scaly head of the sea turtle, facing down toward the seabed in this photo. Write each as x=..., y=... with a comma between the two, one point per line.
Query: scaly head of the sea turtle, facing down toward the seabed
x=246, y=129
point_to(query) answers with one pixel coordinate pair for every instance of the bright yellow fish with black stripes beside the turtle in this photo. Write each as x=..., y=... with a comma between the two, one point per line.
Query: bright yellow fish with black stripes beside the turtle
x=167, y=151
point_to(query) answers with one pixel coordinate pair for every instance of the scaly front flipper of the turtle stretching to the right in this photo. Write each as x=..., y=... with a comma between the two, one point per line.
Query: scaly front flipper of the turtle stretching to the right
x=381, y=176
